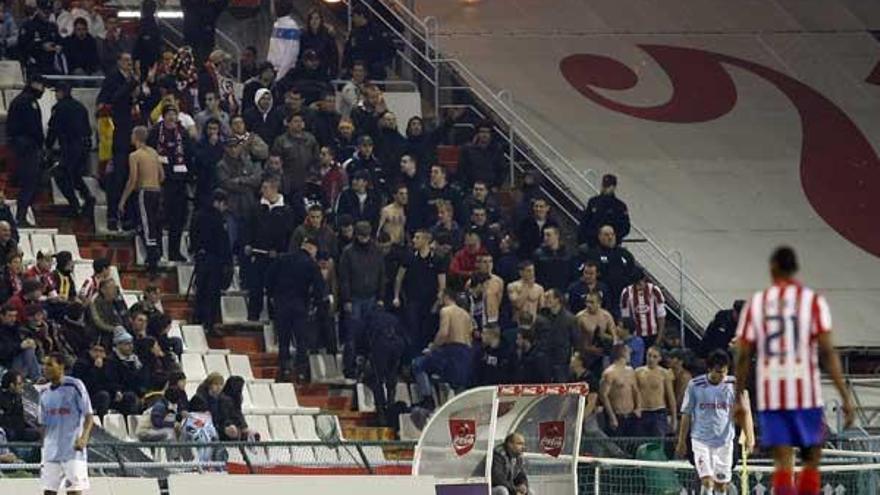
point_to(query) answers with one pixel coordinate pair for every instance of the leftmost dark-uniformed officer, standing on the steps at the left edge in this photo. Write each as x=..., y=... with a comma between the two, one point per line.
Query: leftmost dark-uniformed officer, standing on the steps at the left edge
x=24, y=131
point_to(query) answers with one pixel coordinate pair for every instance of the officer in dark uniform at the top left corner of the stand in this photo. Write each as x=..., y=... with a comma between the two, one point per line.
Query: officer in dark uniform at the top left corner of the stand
x=40, y=42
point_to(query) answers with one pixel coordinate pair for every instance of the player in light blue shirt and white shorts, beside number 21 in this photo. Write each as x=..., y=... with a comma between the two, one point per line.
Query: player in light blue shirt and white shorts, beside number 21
x=707, y=414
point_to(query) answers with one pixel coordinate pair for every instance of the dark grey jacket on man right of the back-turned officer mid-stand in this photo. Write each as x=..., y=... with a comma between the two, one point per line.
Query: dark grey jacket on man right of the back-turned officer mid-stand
x=361, y=272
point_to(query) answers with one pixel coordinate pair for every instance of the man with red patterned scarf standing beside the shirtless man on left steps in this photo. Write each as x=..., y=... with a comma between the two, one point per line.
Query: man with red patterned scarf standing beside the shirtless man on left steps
x=174, y=146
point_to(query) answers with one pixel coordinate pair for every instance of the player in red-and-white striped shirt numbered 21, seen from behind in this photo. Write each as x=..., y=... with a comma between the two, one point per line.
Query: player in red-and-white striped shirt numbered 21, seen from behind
x=787, y=327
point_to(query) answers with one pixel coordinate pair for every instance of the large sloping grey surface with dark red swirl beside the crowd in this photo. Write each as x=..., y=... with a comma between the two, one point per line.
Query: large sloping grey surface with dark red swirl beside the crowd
x=733, y=126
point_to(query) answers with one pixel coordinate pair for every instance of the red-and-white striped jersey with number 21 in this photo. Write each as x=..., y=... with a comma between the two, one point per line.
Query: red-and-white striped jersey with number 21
x=783, y=324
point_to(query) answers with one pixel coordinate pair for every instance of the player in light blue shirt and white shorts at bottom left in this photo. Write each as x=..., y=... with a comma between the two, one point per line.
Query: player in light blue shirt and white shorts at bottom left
x=66, y=419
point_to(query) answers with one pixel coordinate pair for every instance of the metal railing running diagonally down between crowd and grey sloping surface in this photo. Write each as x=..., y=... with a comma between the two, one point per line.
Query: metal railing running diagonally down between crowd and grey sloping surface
x=451, y=84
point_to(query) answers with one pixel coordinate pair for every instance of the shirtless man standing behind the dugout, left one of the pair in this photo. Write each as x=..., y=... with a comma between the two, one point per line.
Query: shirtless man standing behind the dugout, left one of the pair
x=620, y=395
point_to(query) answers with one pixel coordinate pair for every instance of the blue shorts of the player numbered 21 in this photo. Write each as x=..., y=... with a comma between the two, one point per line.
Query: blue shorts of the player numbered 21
x=803, y=428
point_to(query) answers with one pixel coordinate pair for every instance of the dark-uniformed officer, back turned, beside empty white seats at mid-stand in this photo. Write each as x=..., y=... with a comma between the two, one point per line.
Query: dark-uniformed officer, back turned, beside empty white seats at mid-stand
x=296, y=285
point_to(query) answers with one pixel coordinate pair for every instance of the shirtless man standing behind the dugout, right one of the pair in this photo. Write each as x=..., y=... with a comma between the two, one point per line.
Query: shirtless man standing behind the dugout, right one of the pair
x=658, y=397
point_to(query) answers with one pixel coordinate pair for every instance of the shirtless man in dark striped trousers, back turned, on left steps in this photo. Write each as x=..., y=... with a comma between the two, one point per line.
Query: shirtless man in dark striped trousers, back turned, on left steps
x=145, y=176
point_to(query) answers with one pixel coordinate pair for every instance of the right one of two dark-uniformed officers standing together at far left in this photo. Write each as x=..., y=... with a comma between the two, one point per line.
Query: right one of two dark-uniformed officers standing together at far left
x=70, y=125
